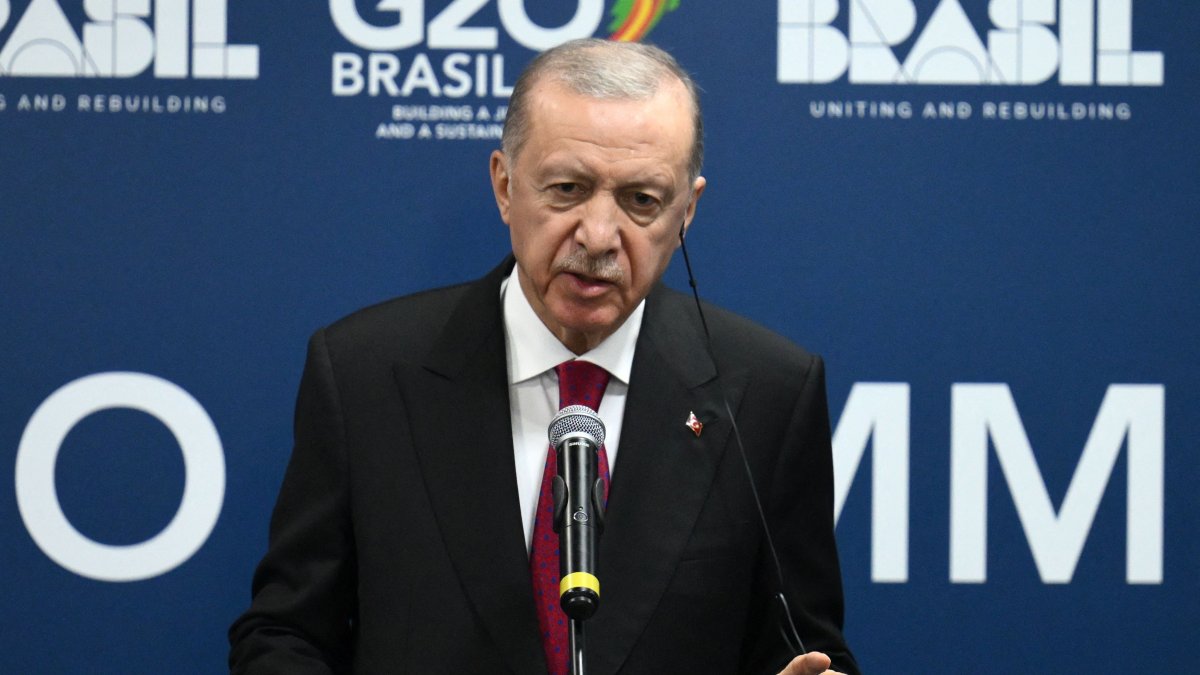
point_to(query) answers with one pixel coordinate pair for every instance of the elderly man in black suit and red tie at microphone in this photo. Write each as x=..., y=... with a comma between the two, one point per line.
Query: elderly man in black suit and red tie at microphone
x=412, y=531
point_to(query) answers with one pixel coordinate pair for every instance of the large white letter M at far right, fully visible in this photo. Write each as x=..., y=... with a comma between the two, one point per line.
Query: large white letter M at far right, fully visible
x=1133, y=413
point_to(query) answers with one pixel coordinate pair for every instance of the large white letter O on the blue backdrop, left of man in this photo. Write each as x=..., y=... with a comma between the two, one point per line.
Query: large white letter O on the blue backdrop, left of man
x=203, y=470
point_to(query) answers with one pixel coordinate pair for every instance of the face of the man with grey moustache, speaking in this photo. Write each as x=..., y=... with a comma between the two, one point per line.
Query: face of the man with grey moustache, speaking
x=595, y=202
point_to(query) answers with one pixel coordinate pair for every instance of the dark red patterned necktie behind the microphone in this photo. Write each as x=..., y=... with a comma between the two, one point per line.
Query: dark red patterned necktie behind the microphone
x=579, y=384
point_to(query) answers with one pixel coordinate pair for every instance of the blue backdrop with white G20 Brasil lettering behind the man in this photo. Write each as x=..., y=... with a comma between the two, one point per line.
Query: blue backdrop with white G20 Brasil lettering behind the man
x=937, y=195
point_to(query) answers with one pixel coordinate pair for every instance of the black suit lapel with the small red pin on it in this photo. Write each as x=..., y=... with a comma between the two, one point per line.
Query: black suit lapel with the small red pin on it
x=663, y=476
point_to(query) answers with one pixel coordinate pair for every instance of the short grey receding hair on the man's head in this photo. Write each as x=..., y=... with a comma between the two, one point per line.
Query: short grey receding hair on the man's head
x=602, y=69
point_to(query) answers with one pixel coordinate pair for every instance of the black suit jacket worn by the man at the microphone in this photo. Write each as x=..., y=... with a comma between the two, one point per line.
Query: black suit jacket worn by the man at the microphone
x=398, y=547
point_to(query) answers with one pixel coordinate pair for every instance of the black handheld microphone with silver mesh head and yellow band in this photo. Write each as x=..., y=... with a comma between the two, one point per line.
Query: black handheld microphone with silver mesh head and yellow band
x=577, y=435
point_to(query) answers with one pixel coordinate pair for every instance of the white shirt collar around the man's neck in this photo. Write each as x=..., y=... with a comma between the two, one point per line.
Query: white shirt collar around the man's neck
x=535, y=350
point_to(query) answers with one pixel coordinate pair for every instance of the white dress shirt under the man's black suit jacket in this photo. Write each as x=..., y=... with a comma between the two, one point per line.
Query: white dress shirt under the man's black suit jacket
x=533, y=353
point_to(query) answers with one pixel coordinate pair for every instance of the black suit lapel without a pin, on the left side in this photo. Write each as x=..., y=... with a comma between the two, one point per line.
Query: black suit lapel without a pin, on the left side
x=463, y=434
